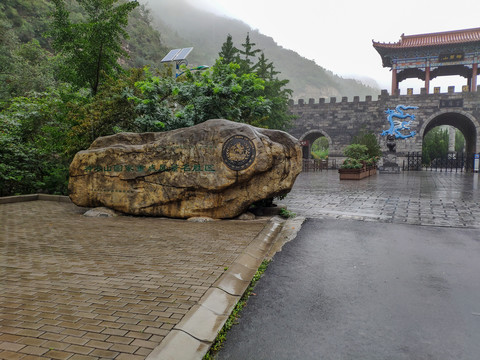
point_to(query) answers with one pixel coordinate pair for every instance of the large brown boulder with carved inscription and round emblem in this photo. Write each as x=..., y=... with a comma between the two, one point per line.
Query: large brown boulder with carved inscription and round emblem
x=215, y=169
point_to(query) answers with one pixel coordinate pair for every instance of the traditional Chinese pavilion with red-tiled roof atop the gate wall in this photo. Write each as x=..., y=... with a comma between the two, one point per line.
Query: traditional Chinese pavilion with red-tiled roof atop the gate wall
x=427, y=56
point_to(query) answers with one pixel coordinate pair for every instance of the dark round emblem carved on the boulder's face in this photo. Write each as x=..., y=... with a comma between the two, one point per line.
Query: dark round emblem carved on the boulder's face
x=238, y=152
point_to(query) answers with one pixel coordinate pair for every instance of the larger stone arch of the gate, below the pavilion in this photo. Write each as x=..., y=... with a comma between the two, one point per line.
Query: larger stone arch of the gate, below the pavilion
x=463, y=121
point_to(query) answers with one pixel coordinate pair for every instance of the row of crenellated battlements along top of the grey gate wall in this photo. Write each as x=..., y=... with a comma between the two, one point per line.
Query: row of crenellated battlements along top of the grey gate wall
x=383, y=96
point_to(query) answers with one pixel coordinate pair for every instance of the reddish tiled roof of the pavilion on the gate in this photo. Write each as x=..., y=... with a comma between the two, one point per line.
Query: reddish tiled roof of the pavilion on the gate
x=433, y=39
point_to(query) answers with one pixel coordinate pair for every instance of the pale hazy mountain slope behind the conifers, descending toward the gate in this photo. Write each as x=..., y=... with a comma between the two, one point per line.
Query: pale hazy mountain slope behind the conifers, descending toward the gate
x=182, y=25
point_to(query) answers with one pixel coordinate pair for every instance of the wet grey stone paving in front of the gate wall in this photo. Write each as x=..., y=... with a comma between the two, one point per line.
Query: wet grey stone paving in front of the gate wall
x=421, y=198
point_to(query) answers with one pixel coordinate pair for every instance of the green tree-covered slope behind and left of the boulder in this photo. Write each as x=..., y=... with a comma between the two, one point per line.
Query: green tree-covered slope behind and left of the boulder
x=72, y=71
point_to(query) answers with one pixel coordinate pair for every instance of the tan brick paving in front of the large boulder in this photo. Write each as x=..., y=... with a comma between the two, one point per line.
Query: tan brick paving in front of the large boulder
x=80, y=288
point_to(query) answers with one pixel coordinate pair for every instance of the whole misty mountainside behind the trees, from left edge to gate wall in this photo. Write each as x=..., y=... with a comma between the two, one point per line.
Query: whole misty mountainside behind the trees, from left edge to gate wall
x=177, y=24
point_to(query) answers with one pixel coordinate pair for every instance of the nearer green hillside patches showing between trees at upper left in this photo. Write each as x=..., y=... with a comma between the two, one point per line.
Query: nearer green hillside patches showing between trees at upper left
x=27, y=61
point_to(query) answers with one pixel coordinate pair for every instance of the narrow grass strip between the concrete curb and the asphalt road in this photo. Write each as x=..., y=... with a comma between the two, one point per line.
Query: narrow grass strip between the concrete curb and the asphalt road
x=233, y=318
